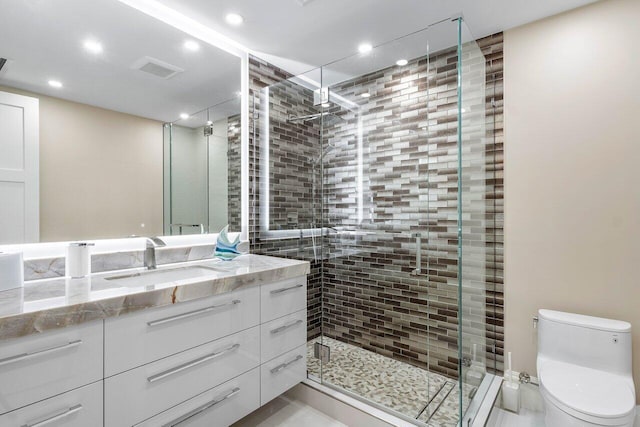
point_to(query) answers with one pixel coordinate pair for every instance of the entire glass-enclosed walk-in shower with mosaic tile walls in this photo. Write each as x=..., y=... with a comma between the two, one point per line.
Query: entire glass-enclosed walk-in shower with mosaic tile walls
x=391, y=188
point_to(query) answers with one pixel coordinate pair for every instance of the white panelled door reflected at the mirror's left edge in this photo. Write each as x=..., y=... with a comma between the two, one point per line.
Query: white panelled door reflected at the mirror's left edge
x=19, y=169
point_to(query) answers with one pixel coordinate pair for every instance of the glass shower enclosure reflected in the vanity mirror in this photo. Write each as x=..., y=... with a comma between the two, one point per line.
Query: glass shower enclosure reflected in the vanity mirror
x=202, y=171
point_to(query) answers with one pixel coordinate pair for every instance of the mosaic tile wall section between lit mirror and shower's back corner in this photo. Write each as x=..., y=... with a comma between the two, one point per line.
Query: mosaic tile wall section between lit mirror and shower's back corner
x=290, y=151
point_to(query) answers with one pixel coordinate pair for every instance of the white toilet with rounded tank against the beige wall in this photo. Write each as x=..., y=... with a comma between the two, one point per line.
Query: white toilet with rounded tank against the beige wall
x=584, y=368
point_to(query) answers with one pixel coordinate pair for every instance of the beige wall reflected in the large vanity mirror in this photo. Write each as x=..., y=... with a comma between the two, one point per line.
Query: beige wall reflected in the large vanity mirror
x=100, y=172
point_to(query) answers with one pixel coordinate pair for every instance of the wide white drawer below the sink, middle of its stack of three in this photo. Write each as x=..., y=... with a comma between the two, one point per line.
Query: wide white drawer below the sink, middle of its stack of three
x=152, y=388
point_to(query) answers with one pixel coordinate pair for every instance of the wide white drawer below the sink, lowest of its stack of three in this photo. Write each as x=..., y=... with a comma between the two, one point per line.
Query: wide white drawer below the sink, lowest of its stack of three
x=220, y=406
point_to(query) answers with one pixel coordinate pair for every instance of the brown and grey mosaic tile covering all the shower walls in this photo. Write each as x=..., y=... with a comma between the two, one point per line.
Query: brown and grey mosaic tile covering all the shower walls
x=370, y=297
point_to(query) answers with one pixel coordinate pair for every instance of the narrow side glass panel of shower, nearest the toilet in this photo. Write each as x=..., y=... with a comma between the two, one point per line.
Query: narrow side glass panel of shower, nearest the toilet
x=477, y=216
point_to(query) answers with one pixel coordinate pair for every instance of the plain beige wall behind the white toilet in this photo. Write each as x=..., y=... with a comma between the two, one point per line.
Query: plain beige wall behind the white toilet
x=572, y=171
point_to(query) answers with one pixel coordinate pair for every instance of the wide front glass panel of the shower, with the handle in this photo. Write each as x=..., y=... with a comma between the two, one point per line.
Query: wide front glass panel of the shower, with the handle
x=389, y=294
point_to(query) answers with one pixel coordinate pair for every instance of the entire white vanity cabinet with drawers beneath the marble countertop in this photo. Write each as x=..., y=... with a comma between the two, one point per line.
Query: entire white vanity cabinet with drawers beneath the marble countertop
x=206, y=362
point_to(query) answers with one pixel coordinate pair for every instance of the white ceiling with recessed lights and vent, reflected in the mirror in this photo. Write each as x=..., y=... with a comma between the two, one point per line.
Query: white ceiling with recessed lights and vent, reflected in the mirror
x=43, y=40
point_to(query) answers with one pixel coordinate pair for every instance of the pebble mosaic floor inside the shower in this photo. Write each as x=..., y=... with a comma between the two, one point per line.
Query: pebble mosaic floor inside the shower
x=428, y=397
